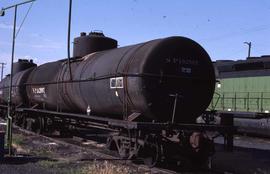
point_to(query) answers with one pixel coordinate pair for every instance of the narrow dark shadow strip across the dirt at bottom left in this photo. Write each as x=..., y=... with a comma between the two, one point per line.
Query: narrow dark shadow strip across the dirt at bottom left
x=18, y=160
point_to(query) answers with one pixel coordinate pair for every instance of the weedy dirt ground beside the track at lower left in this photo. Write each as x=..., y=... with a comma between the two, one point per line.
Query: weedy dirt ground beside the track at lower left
x=36, y=155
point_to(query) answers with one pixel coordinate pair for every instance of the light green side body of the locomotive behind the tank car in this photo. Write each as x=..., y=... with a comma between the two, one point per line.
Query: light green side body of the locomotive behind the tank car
x=246, y=94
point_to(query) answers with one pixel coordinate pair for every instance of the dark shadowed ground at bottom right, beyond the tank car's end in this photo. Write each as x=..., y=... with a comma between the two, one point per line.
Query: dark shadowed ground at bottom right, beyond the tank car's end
x=250, y=156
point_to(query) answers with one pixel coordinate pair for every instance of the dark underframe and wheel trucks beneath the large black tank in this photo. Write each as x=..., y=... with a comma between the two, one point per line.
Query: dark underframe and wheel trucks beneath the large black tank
x=182, y=144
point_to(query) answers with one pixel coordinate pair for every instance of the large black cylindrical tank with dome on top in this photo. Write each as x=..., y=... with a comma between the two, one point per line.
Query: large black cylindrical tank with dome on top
x=121, y=81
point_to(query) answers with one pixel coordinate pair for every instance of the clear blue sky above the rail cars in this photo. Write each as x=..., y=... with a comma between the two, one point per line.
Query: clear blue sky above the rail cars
x=220, y=27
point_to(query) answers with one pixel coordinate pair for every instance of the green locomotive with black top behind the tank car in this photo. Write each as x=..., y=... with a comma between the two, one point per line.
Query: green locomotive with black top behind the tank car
x=243, y=86
